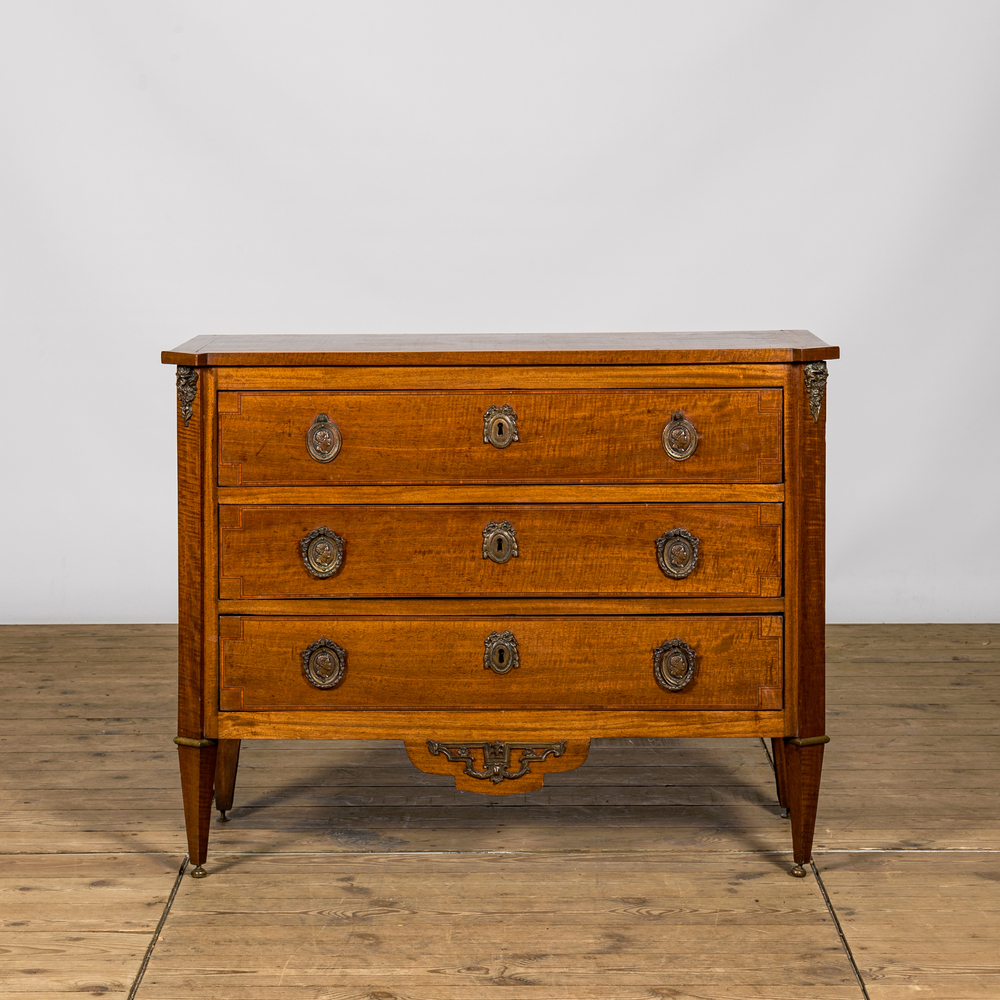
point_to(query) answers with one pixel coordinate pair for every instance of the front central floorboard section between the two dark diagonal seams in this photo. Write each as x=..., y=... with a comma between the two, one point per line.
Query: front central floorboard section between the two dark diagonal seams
x=533, y=926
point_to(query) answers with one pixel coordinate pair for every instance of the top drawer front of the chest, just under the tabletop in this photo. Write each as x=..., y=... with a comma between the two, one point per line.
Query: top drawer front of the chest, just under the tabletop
x=272, y=438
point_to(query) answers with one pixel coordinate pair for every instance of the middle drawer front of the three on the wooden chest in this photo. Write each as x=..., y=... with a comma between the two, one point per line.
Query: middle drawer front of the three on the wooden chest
x=665, y=550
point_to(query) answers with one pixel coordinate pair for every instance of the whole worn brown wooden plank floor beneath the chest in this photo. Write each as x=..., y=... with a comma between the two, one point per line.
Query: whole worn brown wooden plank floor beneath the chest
x=658, y=869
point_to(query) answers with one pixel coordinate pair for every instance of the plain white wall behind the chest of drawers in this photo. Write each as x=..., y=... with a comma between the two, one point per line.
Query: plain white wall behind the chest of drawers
x=177, y=168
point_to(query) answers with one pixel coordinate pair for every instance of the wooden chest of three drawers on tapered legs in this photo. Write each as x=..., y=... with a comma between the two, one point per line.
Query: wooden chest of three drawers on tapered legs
x=498, y=548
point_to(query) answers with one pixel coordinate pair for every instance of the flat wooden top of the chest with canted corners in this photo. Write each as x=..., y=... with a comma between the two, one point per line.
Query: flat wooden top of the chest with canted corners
x=731, y=347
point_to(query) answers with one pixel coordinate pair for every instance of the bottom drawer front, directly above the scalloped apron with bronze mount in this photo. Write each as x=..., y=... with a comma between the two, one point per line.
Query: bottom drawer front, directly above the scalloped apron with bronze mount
x=442, y=664
